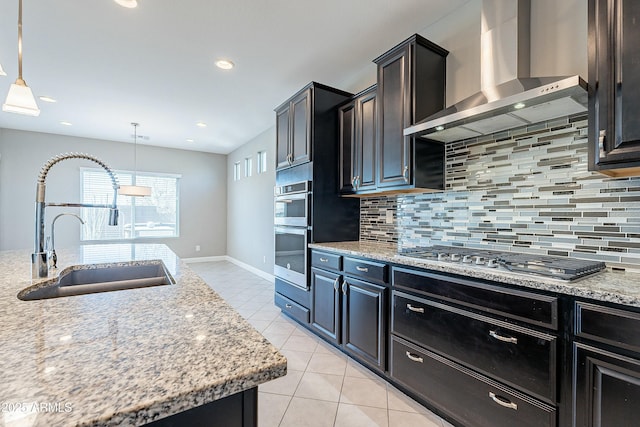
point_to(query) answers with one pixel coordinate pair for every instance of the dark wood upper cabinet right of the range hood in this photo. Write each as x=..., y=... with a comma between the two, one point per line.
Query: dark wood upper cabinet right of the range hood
x=614, y=87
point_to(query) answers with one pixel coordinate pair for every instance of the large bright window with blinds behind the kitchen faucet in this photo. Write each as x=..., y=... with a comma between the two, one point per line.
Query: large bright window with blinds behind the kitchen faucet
x=153, y=216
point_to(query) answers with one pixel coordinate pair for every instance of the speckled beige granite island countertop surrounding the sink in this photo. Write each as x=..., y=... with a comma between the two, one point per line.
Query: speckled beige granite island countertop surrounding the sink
x=126, y=357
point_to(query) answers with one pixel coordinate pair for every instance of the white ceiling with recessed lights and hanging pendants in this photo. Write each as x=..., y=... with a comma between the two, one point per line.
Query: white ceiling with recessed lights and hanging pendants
x=109, y=66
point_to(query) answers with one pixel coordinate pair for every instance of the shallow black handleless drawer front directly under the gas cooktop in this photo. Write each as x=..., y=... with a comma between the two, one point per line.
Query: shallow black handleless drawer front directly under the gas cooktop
x=528, y=307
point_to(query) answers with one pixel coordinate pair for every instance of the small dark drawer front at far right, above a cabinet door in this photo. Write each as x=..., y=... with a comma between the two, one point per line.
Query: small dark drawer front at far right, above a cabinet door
x=612, y=326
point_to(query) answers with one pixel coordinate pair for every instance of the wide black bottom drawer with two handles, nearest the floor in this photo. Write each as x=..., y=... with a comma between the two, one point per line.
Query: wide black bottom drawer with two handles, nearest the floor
x=472, y=399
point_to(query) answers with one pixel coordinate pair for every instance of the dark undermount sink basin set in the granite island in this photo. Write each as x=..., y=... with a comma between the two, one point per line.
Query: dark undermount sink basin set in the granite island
x=101, y=279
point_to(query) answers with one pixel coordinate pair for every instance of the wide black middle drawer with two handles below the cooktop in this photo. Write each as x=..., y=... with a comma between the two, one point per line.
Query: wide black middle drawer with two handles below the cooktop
x=518, y=356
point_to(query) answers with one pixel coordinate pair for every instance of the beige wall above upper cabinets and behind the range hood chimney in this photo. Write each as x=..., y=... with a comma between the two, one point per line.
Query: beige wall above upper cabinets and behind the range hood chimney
x=558, y=45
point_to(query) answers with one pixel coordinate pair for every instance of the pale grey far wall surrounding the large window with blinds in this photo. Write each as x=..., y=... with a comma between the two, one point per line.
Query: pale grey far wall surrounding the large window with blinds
x=203, y=215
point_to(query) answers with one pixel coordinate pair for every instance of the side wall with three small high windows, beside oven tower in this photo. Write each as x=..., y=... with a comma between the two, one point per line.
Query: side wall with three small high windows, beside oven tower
x=250, y=205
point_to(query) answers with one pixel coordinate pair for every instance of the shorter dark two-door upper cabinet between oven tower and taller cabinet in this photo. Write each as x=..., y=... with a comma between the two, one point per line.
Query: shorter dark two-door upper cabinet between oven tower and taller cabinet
x=358, y=137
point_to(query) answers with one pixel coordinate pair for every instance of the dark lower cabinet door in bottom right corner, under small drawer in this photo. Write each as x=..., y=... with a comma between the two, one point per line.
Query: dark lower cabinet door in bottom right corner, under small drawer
x=606, y=388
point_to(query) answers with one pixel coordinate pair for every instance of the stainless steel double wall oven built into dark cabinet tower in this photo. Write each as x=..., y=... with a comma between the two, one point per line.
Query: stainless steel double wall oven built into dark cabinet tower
x=292, y=225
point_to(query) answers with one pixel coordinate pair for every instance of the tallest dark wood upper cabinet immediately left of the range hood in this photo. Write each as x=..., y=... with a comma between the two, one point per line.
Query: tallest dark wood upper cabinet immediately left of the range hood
x=411, y=87
